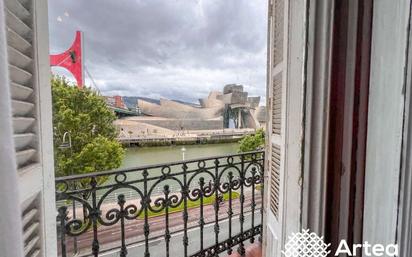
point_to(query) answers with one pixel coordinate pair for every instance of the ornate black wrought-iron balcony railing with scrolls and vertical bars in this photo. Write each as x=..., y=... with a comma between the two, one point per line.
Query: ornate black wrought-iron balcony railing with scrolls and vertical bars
x=200, y=207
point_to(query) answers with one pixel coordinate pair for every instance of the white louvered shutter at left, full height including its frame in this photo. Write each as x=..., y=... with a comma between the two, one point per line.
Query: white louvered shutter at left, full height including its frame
x=29, y=77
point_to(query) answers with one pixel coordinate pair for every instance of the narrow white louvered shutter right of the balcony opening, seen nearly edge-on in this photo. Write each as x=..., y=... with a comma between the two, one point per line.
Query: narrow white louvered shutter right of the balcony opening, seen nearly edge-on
x=276, y=95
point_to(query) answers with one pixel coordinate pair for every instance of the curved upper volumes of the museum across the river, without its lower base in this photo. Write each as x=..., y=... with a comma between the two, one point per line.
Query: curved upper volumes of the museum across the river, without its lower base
x=215, y=112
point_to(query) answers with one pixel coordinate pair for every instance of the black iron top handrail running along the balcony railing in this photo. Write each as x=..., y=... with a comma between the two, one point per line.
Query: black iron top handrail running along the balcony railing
x=151, y=166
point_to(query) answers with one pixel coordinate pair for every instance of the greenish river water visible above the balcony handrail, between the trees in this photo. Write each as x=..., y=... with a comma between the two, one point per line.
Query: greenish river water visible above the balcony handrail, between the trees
x=135, y=157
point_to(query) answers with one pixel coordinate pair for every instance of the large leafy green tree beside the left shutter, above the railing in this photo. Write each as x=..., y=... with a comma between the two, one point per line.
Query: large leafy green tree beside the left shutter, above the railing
x=84, y=114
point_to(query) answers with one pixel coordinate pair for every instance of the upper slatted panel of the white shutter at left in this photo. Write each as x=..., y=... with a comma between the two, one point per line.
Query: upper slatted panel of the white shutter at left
x=19, y=21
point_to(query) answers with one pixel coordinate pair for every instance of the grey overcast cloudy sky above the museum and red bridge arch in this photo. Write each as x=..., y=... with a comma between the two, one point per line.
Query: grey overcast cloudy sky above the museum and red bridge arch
x=176, y=49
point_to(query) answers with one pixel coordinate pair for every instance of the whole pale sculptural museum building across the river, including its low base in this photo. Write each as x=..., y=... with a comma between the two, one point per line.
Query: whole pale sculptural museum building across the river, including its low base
x=215, y=113
